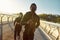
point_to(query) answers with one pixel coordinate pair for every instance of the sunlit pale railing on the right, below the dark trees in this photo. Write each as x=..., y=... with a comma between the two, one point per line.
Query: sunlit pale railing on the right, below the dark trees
x=52, y=29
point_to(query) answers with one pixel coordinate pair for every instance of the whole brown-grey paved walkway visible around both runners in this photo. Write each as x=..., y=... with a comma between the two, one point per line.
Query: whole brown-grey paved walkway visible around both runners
x=8, y=33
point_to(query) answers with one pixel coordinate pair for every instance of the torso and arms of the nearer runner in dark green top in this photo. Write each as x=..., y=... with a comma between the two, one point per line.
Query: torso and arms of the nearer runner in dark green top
x=35, y=21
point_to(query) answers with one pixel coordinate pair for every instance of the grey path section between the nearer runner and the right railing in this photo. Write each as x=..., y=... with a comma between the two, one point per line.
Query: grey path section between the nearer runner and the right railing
x=39, y=35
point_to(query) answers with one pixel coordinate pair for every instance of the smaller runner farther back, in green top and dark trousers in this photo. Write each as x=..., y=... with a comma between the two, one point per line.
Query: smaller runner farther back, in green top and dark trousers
x=18, y=26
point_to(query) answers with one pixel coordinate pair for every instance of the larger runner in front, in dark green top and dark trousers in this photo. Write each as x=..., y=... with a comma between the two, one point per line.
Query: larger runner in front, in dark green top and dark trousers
x=31, y=22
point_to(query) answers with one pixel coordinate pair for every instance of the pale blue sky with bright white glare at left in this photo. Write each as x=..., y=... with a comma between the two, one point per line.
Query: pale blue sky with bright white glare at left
x=43, y=6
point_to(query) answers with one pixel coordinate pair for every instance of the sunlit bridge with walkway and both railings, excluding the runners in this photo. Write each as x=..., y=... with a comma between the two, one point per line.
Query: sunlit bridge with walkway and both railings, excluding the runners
x=46, y=30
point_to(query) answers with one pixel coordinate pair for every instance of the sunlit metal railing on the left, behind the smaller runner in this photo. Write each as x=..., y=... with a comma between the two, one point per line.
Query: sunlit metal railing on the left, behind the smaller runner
x=5, y=19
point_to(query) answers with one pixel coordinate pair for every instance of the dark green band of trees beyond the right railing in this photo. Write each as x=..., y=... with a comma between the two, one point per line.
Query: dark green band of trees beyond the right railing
x=50, y=17
